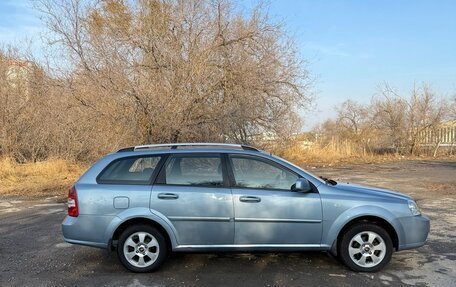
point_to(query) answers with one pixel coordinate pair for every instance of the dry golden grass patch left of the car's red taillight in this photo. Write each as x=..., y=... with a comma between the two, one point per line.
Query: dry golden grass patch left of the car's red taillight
x=34, y=180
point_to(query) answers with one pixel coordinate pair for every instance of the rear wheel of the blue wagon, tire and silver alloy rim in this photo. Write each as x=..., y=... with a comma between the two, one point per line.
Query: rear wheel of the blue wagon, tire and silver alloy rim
x=142, y=248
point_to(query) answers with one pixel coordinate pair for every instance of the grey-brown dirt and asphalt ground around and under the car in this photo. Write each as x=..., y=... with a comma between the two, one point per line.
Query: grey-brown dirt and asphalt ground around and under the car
x=33, y=253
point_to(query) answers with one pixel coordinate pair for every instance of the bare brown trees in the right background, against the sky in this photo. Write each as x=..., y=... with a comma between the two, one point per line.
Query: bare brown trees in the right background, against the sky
x=389, y=121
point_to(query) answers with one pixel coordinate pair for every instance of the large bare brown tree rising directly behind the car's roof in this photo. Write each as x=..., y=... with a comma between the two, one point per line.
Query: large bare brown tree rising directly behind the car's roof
x=180, y=70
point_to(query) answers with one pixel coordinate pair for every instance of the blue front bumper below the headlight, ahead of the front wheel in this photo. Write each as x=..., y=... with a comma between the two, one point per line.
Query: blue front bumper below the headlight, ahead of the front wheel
x=416, y=230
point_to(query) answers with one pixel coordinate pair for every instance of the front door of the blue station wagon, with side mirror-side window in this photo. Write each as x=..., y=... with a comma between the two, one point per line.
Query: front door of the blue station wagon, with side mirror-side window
x=267, y=211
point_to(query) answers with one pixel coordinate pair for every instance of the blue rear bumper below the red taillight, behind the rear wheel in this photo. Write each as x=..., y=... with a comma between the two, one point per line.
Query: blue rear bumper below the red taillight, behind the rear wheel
x=83, y=230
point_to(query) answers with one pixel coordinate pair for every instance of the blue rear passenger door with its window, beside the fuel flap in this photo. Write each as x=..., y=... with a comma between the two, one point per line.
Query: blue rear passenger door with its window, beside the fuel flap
x=192, y=192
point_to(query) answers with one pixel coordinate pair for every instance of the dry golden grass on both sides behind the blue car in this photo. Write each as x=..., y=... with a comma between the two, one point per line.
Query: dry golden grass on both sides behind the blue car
x=54, y=177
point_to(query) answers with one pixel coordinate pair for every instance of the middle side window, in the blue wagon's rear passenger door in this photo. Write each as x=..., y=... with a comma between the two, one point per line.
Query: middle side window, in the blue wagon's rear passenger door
x=200, y=170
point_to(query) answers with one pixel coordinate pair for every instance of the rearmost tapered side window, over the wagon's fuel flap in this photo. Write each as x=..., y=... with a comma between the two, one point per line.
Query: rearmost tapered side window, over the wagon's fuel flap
x=130, y=170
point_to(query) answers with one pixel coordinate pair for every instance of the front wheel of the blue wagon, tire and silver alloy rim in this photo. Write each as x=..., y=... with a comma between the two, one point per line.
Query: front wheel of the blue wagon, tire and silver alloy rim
x=365, y=247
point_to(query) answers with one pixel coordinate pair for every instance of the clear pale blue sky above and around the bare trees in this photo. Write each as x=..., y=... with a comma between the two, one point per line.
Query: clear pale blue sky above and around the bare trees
x=352, y=46
